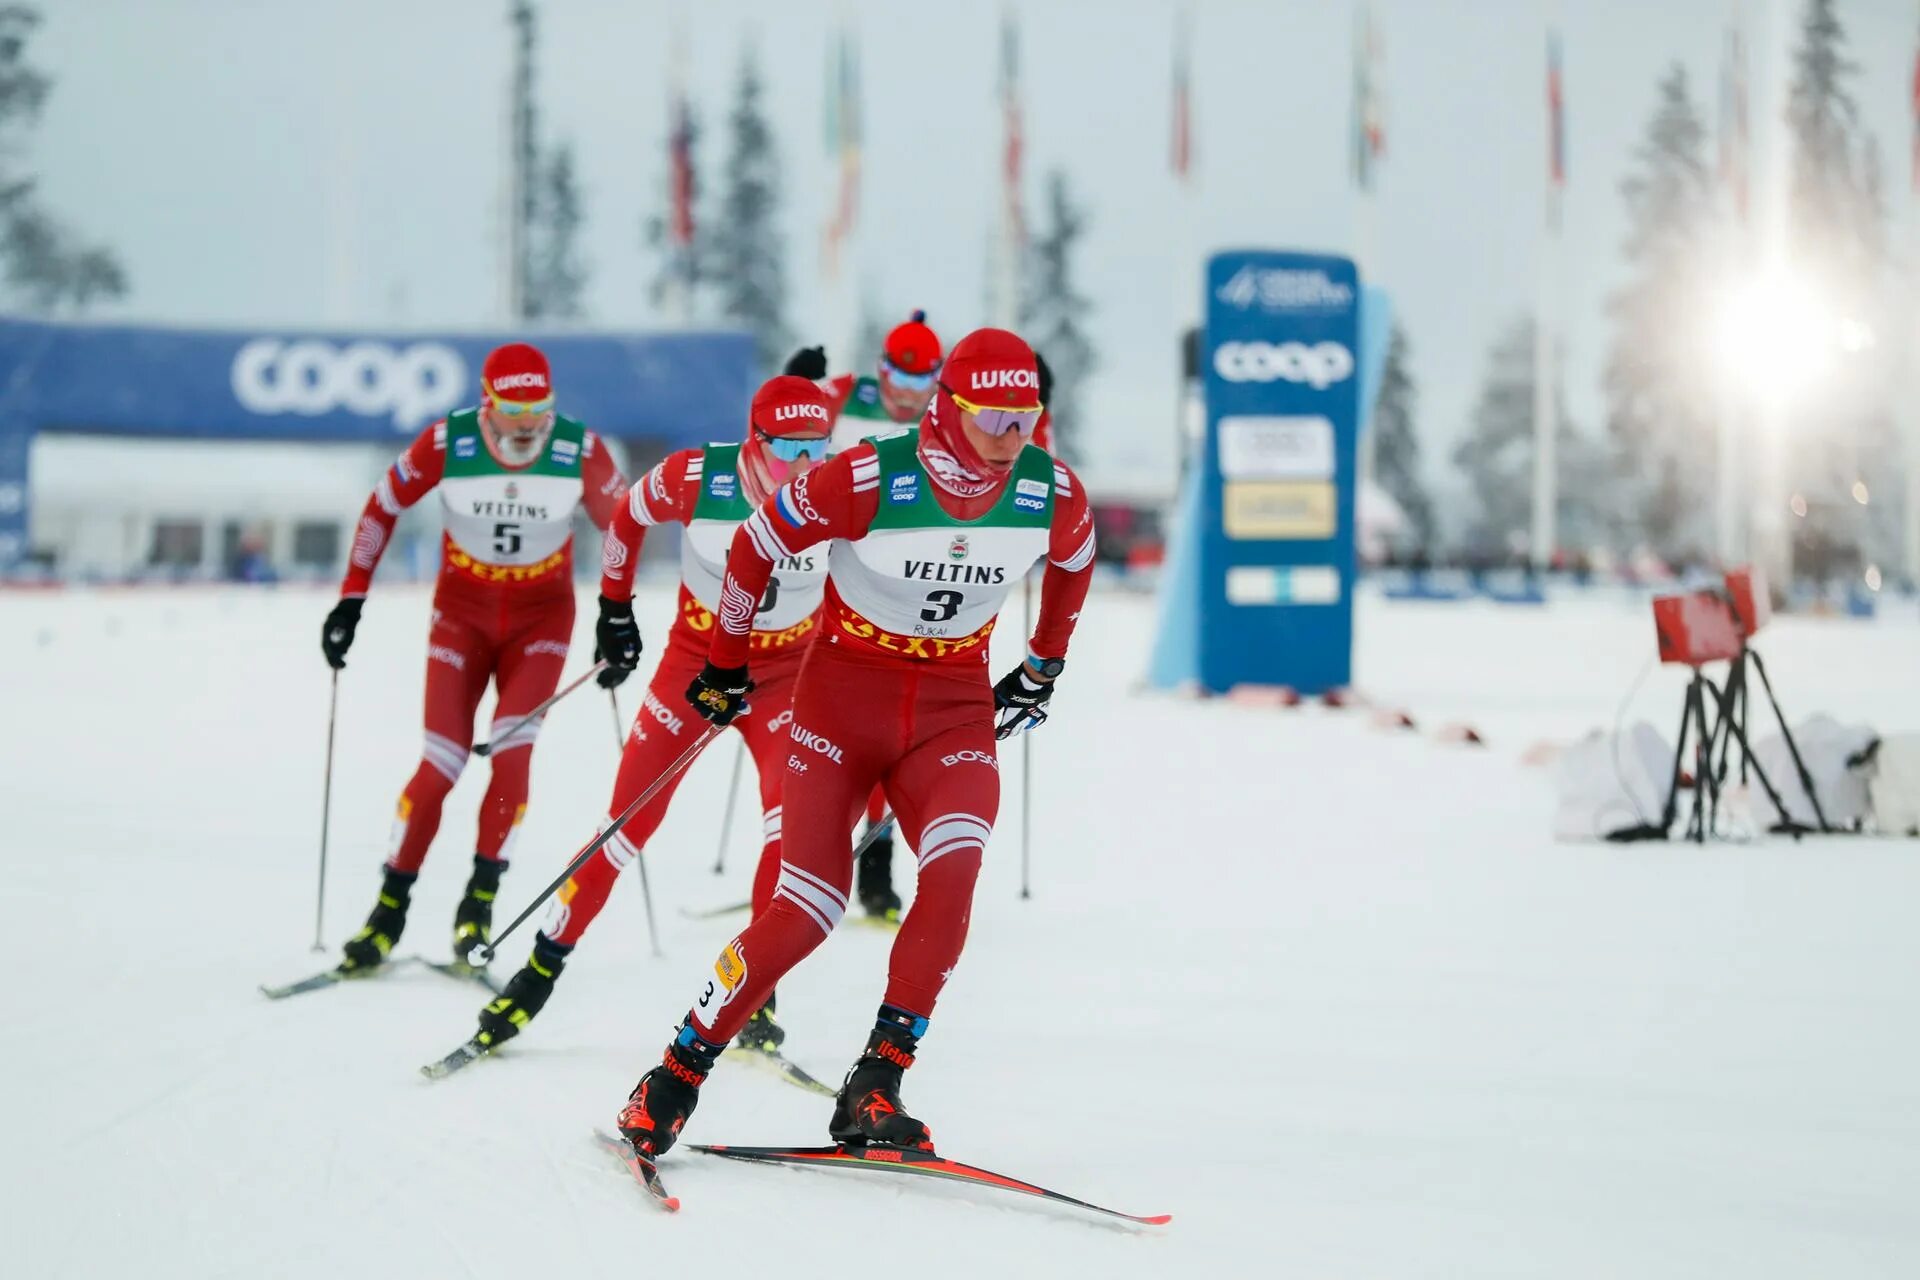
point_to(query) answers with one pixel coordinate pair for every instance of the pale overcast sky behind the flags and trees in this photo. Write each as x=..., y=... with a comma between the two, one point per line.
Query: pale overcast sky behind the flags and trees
x=341, y=164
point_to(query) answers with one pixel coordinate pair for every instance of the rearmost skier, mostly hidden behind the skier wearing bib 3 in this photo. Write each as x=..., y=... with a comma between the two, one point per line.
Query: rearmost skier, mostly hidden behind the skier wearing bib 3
x=894, y=396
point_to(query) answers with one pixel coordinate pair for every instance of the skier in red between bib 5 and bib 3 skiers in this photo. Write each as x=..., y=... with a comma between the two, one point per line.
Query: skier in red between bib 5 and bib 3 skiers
x=709, y=492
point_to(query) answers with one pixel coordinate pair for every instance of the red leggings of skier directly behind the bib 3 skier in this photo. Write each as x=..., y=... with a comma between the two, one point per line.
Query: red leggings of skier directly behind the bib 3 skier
x=661, y=732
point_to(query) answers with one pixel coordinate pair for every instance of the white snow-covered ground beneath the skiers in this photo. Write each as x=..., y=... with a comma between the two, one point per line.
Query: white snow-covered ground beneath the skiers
x=1324, y=993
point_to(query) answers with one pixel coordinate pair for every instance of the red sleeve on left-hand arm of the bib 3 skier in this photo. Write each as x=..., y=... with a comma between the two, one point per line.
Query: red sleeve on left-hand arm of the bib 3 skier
x=834, y=500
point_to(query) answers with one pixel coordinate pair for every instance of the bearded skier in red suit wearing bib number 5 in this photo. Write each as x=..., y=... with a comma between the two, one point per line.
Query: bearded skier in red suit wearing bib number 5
x=510, y=477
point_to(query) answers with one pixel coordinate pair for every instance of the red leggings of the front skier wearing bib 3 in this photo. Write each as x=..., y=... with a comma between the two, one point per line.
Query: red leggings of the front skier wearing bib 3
x=921, y=730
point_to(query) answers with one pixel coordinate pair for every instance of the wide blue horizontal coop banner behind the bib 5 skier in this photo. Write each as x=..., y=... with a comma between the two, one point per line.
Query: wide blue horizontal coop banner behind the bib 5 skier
x=337, y=387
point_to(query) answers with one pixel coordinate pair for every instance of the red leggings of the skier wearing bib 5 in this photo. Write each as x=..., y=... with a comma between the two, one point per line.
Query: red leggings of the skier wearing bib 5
x=523, y=650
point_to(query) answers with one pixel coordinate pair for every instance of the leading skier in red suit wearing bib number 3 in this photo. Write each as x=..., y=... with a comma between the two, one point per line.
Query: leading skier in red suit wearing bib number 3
x=932, y=529
